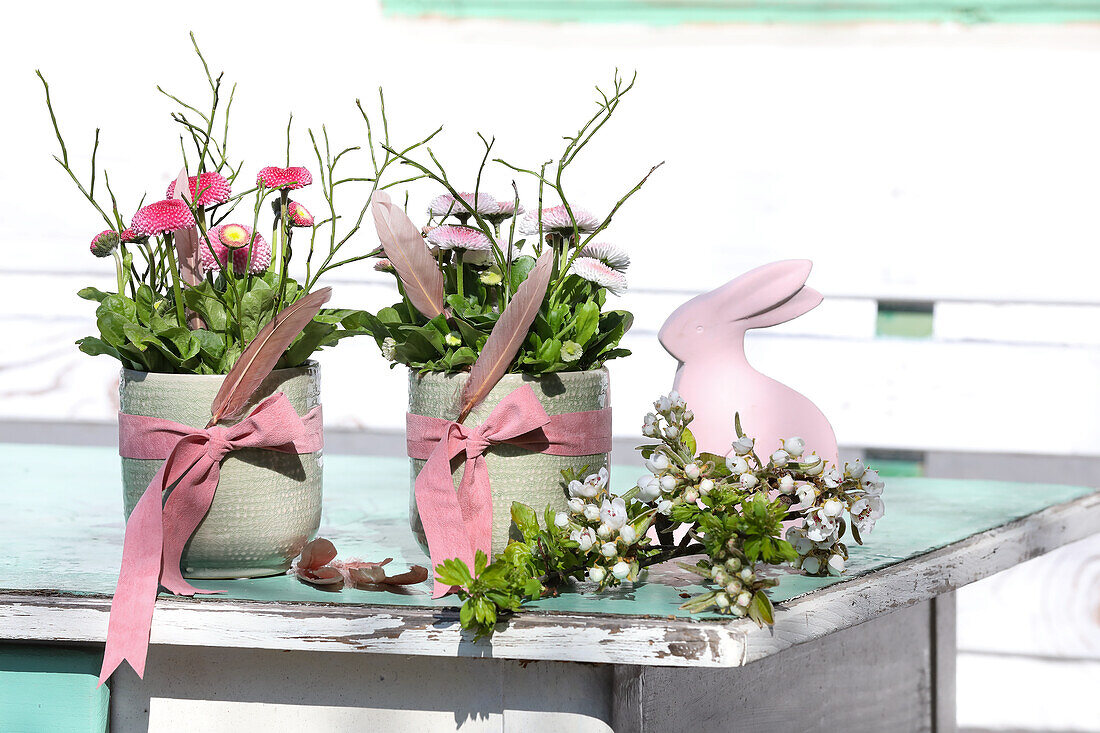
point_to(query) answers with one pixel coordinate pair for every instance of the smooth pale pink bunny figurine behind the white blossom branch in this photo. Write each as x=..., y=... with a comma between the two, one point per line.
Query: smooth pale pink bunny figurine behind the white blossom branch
x=707, y=335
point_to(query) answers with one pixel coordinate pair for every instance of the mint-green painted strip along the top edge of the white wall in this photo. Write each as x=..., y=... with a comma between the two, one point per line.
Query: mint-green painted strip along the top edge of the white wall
x=669, y=13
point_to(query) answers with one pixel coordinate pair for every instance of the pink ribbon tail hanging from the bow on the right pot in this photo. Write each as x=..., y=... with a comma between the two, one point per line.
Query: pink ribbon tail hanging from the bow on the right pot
x=438, y=505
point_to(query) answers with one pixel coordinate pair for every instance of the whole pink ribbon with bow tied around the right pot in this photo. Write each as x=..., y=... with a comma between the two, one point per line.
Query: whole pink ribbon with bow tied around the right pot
x=460, y=523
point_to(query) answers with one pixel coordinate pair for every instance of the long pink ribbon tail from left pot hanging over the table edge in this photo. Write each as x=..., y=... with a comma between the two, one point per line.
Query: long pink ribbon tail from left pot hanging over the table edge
x=136, y=594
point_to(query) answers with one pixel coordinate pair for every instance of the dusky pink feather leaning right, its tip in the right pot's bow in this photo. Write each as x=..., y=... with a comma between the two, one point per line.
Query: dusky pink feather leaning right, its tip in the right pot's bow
x=509, y=335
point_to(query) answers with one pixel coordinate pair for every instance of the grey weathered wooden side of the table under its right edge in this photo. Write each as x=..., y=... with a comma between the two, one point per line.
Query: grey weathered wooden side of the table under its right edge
x=896, y=673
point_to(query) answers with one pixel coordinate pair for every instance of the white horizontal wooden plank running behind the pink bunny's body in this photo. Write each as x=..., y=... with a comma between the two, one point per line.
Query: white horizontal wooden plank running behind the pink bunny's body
x=879, y=393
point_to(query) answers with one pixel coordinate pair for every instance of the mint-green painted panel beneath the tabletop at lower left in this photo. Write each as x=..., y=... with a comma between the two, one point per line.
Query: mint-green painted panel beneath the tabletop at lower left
x=51, y=690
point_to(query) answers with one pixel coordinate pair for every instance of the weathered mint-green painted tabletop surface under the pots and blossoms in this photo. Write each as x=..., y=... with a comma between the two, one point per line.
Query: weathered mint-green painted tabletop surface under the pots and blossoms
x=64, y=531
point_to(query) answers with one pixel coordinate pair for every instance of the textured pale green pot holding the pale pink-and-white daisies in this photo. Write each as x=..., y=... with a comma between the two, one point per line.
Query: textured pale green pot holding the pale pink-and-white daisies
x=516, y=475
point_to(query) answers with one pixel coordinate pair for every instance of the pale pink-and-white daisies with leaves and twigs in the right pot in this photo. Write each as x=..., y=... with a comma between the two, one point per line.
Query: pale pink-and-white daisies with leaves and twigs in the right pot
x=486, y=246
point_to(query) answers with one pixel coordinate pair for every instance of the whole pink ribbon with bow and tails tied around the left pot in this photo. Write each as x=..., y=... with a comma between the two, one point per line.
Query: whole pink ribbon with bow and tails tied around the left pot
x=158, y=532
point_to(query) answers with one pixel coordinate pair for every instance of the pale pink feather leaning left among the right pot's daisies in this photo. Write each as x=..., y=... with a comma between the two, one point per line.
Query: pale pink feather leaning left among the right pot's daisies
x=406, y=250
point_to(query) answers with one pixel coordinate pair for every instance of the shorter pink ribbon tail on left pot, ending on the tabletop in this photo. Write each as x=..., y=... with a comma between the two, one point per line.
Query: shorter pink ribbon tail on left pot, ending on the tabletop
x=188, y=506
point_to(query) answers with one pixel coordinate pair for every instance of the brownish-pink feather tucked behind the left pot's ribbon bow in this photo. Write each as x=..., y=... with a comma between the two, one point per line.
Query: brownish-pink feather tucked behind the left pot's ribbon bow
x=260, y=358
